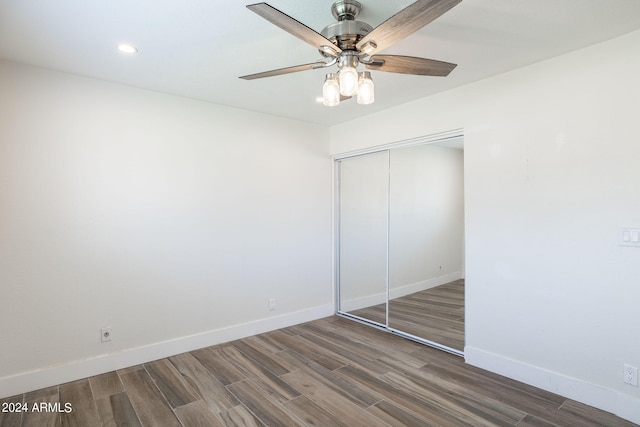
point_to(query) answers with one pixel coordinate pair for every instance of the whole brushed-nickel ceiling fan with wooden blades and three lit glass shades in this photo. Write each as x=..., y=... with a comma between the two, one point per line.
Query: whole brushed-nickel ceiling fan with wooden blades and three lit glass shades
x=348, y=43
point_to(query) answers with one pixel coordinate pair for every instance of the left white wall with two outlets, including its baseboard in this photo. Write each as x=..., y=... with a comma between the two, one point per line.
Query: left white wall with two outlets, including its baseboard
x=171, y=220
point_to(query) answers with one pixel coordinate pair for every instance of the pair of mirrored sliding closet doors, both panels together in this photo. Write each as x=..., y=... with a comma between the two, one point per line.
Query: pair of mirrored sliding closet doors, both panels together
x=400, y=241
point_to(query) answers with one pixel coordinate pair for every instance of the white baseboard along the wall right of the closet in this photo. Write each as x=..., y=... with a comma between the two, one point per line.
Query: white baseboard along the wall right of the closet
x=617, y=403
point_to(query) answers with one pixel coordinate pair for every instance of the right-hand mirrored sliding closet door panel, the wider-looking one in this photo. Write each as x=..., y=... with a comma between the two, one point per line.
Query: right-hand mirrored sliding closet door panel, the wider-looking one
x=426, y=243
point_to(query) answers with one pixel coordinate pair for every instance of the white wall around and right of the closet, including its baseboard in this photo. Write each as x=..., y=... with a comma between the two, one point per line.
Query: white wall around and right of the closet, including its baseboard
x=551, y=173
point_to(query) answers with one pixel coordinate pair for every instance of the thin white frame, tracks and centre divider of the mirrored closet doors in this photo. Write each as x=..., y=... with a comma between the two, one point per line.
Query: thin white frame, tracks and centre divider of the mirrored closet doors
x=429, y=139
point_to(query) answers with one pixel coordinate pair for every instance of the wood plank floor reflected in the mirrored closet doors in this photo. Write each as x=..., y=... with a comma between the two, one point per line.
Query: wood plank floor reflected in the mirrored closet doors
x=435, y=314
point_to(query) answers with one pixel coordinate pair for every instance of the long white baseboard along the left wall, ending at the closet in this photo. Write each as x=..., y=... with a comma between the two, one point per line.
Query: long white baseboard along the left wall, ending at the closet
x=78, y=369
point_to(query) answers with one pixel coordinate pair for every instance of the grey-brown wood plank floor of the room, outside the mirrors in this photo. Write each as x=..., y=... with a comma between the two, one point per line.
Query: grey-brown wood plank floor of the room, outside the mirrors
x=329, y=372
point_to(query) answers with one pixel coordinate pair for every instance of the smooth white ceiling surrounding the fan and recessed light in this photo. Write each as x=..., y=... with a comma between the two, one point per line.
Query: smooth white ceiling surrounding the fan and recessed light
x=197, y=48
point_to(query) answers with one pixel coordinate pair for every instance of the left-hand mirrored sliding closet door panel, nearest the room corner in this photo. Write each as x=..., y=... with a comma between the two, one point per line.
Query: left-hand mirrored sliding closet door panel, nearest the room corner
x=363, y=217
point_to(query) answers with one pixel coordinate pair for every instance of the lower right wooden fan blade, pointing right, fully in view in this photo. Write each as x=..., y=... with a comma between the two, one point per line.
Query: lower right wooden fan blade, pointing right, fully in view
x=410, y=65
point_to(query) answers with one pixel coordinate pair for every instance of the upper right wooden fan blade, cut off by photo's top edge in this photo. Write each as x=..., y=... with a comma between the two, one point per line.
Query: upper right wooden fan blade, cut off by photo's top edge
x=406, y=22
